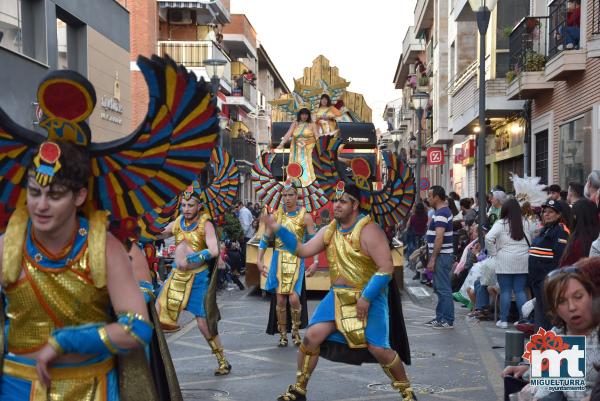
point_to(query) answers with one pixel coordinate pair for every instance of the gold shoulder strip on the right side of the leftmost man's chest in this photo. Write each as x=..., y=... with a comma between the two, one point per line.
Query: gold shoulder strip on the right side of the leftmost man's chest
x=97, y=247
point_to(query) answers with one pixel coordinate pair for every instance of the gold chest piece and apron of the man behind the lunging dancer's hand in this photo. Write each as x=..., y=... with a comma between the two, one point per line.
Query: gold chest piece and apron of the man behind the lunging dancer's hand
x=288, y=263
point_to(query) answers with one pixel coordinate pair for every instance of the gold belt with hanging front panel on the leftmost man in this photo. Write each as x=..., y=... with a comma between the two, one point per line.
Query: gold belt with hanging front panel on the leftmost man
x=81, y=383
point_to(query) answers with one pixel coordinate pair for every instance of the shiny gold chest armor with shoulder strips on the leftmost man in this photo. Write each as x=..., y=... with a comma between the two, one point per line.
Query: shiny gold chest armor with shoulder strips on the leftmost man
x=45, y=299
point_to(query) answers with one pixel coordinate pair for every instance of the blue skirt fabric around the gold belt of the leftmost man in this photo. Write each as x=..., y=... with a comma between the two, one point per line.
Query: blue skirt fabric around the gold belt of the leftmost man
x=18, y=389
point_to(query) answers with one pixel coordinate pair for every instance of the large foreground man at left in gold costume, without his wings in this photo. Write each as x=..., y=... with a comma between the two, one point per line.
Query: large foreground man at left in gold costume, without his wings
x=59, y=288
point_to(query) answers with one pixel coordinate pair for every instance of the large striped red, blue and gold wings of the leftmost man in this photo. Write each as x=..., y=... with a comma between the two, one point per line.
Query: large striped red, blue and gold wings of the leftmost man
x=142, y=171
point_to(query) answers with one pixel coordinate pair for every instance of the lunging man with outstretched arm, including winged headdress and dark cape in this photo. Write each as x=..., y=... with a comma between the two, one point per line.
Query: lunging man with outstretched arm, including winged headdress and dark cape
x=360, y=319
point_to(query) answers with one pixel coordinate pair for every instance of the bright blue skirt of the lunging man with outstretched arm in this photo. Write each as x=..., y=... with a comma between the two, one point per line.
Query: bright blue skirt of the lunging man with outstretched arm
x=378, y=325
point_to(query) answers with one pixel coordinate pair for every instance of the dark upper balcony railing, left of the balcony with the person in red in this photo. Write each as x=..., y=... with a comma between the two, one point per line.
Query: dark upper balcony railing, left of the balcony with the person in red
x=528, y=45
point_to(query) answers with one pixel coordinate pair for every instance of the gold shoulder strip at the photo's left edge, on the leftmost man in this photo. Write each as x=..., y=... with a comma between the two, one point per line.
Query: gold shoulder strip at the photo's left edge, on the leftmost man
x=12, y=253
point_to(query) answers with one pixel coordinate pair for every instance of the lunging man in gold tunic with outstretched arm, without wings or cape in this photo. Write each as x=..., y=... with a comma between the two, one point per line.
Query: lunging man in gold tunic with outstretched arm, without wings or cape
x=354, y=312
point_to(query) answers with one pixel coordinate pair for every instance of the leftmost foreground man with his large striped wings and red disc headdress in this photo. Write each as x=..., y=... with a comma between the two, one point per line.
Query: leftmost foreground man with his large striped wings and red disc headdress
x=75, y=325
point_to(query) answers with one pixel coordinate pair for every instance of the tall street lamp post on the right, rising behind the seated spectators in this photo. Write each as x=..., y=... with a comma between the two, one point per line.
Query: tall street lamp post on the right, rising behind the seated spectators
x=482, y=9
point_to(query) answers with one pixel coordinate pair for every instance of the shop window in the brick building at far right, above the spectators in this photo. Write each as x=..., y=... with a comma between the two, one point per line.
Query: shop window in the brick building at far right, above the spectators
x=575, y=150
